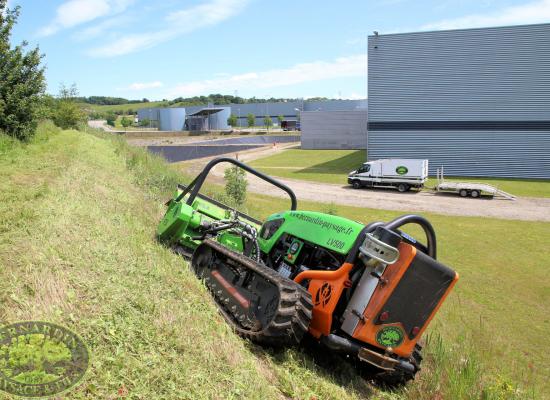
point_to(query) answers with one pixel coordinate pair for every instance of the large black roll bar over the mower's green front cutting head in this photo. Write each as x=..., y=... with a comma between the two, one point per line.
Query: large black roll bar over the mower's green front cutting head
x=195, y=186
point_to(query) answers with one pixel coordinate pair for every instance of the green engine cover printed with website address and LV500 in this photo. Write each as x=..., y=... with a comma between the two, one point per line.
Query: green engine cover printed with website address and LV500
x=328, y=231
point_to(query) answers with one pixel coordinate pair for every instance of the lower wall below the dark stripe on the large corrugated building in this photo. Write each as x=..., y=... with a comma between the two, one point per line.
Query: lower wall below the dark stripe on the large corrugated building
x=469, y=153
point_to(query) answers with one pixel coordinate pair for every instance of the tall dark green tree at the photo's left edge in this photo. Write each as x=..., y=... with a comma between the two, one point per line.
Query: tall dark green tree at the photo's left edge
x=22, y=81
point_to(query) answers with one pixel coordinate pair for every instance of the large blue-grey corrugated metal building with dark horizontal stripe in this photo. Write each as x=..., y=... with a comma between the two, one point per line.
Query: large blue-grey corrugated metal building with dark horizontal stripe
x=476, y=101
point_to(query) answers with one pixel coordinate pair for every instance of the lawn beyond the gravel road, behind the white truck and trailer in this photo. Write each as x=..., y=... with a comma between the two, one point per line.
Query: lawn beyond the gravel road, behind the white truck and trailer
x=333, y=166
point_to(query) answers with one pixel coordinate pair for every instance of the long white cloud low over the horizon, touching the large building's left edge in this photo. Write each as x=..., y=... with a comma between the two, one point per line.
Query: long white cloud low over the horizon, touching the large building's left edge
x=351, y=66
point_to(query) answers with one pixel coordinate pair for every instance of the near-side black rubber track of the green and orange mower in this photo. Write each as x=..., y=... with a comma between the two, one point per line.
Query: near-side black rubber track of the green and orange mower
x=291, y=320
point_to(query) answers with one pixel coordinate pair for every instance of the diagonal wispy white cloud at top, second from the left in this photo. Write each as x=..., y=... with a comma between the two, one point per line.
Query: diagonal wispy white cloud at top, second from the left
x=178, y=23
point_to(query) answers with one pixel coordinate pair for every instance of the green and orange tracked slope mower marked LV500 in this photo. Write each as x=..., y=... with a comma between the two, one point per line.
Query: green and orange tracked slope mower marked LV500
x=367, y=292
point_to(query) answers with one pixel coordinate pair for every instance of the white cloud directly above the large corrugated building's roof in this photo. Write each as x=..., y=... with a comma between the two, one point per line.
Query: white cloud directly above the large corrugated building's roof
x=529, y=13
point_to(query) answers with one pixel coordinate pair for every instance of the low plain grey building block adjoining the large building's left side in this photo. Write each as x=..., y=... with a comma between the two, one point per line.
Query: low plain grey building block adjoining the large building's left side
x=334, y=129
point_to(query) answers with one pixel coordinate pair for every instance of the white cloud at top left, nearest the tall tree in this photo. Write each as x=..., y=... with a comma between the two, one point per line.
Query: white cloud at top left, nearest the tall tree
x=75, y=12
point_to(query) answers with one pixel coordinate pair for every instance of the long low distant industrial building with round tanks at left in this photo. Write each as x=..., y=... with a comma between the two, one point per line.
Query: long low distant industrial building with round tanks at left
x=213, y=117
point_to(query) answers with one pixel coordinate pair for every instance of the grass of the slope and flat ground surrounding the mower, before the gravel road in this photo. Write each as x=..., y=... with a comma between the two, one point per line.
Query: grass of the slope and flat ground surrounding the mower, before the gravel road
x=90, y=205
